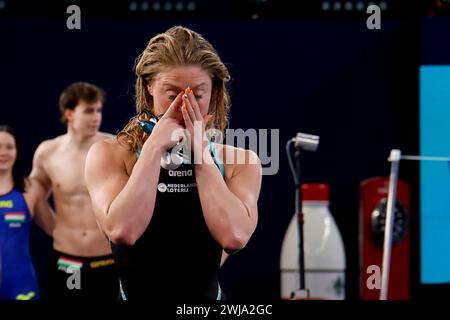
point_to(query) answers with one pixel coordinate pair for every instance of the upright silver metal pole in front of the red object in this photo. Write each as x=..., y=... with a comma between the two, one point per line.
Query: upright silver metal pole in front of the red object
x=394, y=158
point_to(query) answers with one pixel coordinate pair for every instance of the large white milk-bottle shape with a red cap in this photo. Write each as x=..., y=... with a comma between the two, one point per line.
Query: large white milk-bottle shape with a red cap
x=324, y=252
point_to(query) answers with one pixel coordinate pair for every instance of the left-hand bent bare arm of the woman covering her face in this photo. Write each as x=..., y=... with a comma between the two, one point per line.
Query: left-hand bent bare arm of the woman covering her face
x=123, y=204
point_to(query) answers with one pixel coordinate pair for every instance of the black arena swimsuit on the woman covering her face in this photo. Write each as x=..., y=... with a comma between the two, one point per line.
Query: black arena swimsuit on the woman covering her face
x=176, y=258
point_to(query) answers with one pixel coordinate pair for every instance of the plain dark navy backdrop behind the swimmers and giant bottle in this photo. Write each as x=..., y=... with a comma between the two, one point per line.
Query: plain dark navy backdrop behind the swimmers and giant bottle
x=320, y=73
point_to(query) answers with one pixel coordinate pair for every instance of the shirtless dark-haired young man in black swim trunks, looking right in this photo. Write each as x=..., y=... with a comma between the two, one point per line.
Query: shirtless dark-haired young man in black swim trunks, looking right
x=58, y=165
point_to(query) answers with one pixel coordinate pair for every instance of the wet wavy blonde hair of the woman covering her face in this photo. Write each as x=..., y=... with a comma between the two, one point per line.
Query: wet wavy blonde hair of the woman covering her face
x=178, y=46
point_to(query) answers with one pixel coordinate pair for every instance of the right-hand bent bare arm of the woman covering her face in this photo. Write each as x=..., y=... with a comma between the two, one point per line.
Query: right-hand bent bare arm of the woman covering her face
x=230, y=208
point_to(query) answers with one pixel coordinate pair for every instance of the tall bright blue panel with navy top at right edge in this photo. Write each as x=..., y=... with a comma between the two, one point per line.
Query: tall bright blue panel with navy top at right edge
x=434, y=126
